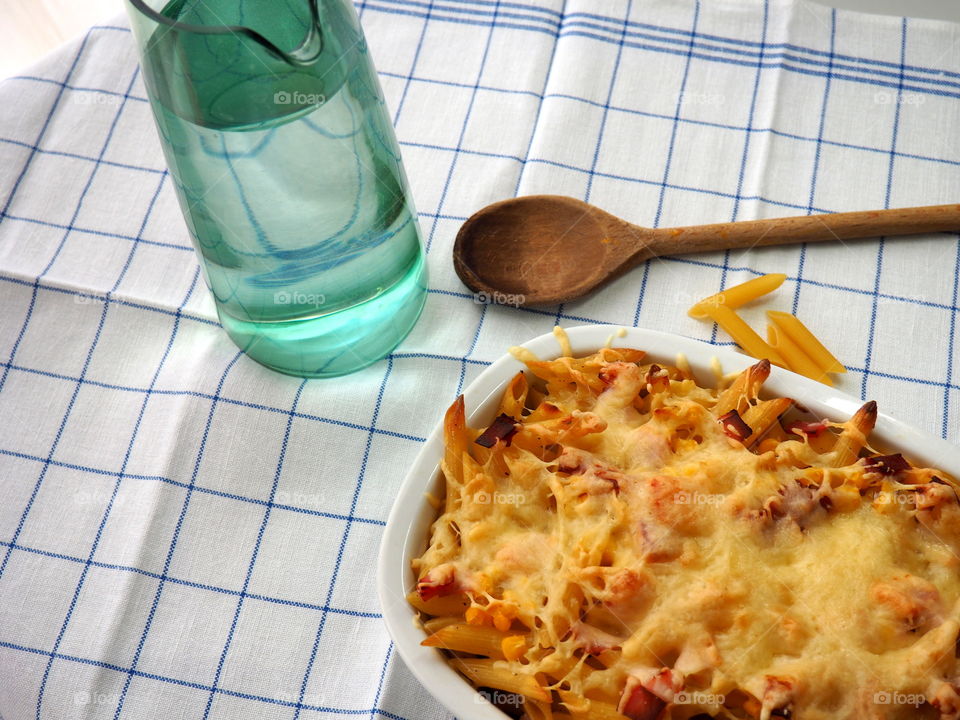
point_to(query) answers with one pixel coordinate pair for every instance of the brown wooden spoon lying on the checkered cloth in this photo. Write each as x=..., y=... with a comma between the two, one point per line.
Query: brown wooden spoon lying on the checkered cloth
x=544, y=249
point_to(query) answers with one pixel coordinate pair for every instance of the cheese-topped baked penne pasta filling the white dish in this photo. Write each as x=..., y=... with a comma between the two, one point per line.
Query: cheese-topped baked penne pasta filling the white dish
x=623, y=542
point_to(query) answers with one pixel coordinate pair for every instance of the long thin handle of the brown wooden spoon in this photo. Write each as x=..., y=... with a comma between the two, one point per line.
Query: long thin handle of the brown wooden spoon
x=806, y=228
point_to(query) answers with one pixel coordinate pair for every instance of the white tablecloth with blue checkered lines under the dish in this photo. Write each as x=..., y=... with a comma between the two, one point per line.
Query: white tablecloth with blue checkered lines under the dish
x=184, y=534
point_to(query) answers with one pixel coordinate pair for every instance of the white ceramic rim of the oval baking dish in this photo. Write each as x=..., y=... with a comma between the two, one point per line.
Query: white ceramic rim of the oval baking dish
x=408, y=524
